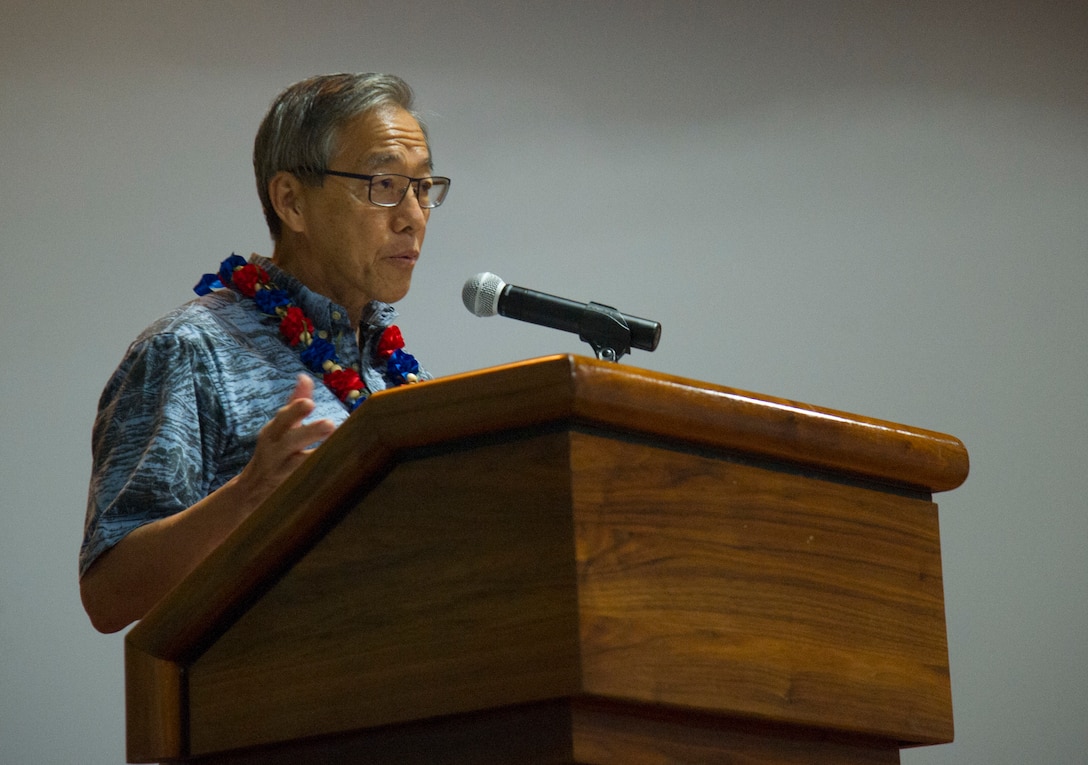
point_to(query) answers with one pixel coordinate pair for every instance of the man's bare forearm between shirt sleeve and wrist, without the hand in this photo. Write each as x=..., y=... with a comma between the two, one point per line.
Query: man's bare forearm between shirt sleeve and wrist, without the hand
x=128, y=581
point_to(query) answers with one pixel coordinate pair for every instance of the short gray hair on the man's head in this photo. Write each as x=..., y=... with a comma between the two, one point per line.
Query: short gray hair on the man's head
x=301, y=131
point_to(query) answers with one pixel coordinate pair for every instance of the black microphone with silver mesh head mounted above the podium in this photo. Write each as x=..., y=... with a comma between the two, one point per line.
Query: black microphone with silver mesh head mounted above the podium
x=603, y=327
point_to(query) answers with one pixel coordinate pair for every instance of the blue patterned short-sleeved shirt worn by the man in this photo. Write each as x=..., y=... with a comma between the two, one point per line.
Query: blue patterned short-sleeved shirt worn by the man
x=181, y=414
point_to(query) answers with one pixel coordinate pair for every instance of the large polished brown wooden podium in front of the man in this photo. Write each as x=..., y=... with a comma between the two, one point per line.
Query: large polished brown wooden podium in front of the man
x=567, y=561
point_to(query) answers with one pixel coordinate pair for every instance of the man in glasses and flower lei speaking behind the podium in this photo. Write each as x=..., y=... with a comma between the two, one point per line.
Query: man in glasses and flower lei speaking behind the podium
x=216, y=404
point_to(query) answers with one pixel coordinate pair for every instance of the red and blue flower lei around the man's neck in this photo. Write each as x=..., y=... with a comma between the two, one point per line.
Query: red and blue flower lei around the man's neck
x=318, y=354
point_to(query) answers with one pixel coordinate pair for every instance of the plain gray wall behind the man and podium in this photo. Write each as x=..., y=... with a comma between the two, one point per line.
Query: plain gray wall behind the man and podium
x=875, y=207
